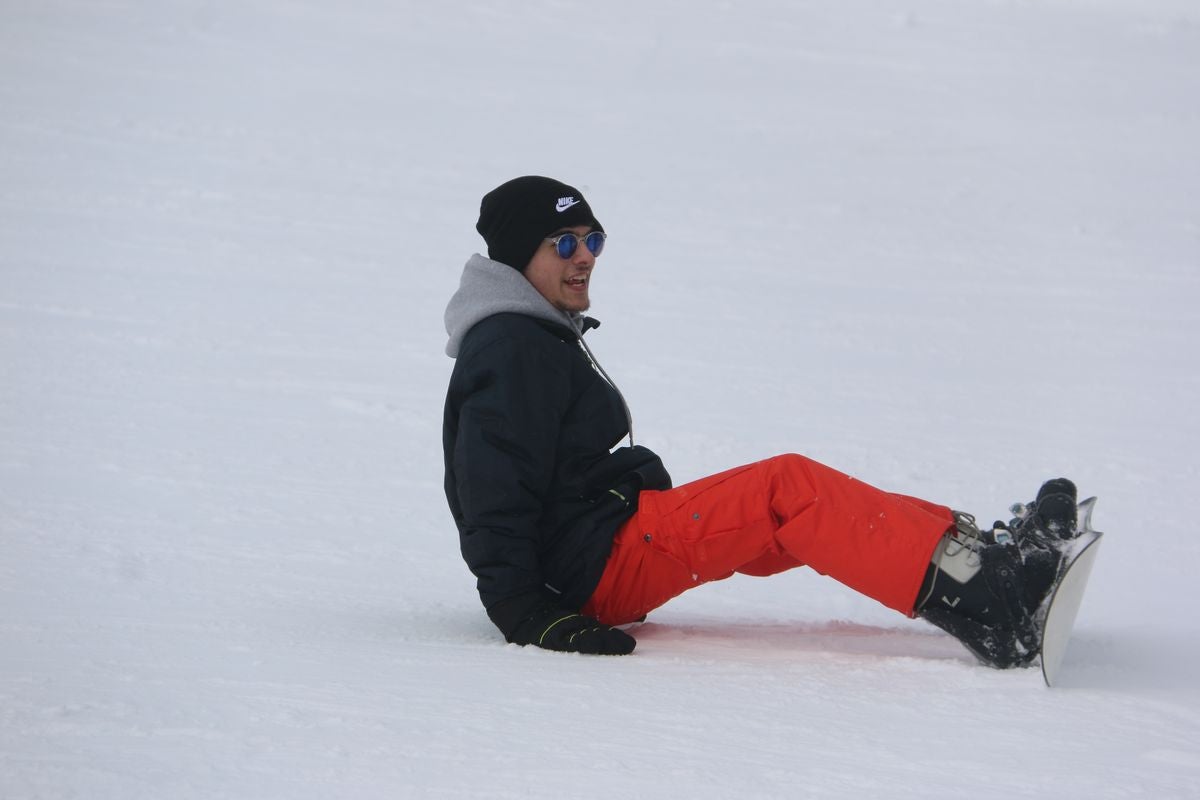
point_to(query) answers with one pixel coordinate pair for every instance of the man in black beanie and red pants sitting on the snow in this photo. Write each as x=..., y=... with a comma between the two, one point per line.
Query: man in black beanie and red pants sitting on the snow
x=571, y=534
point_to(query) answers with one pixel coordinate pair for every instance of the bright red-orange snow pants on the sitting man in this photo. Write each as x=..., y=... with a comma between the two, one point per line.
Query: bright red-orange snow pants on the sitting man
x=764, y=519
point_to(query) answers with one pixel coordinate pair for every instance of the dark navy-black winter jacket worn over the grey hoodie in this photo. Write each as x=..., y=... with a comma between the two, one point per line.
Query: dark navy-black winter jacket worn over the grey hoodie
x=529, y=437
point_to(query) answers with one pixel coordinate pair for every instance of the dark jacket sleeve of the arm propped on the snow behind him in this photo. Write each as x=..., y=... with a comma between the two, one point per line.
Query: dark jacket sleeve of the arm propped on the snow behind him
x=513, y=401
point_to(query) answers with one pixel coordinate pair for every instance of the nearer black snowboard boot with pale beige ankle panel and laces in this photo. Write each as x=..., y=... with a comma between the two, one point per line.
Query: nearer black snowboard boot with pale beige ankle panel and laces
x=975, y=591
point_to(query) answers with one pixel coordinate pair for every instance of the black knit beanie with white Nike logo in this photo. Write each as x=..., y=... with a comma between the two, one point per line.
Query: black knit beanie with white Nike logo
x=515, y=218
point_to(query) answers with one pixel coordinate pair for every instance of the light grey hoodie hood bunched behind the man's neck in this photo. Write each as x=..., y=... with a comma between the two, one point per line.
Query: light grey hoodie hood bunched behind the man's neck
x=489, y=288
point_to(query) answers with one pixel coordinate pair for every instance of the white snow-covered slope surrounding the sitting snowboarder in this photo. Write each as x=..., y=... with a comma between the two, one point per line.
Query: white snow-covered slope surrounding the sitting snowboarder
x=949, y=246
